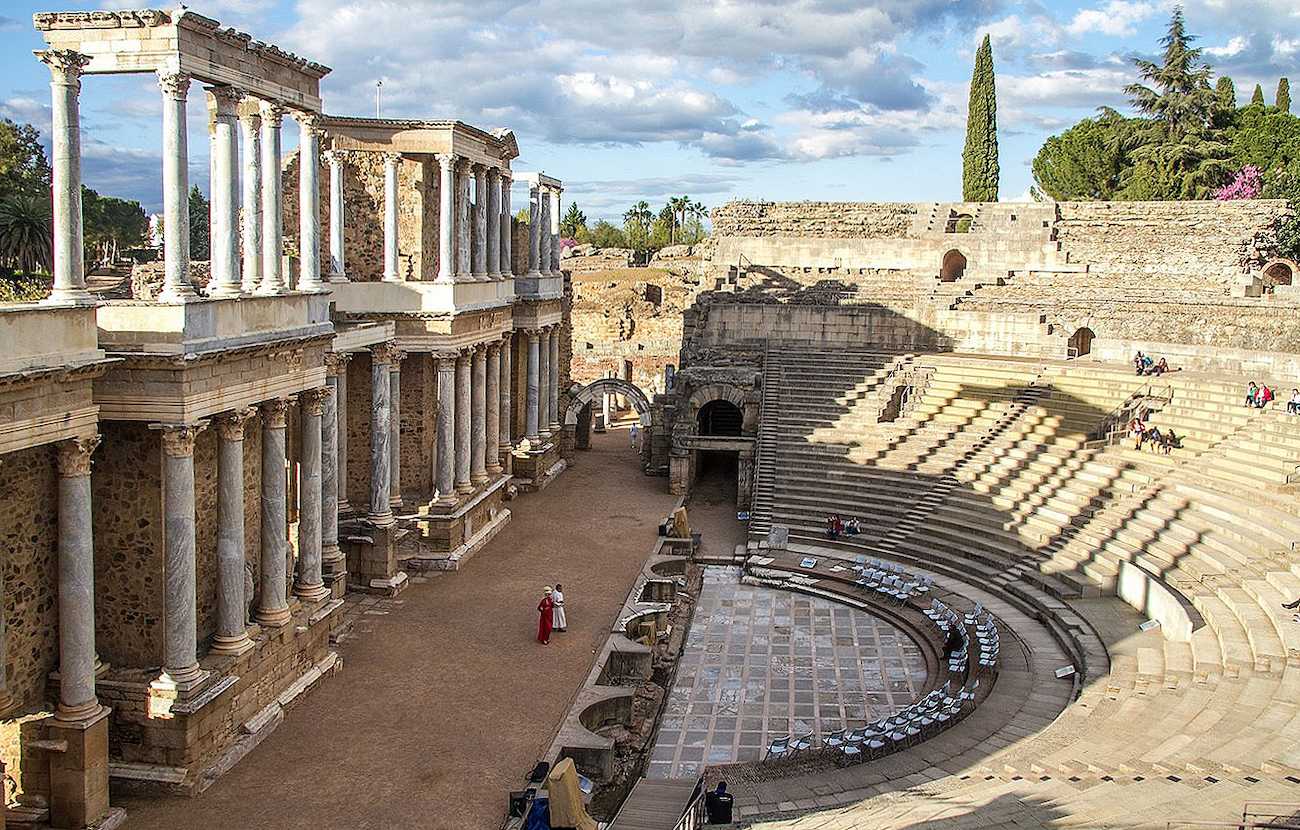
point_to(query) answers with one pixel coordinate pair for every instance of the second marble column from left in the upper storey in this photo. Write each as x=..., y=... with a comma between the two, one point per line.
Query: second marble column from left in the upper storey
x=176, y=189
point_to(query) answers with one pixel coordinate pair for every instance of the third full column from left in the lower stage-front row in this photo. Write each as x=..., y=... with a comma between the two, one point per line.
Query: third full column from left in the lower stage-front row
x=232, y=637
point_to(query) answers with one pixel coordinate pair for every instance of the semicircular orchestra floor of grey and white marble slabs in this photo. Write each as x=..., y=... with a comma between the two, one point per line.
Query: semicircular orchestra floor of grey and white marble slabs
x=761, y=664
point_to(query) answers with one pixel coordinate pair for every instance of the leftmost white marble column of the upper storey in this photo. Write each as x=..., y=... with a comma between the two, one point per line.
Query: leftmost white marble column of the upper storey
x=66, y=71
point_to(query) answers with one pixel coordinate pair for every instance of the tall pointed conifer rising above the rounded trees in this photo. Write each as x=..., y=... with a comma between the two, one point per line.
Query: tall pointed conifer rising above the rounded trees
x=1180, y=157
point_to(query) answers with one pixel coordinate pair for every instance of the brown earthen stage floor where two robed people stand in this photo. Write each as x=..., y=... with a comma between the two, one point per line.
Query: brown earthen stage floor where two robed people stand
x=447, y=701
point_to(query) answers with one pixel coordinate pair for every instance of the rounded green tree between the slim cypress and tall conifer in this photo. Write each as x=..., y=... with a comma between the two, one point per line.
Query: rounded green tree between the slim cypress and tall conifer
x=1089, y=161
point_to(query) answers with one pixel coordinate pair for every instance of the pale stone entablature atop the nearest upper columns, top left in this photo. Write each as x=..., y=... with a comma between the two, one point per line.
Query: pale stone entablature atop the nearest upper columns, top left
x=180, y=41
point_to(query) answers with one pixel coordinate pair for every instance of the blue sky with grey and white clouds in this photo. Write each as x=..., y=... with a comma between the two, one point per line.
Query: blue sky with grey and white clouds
x=774, y=100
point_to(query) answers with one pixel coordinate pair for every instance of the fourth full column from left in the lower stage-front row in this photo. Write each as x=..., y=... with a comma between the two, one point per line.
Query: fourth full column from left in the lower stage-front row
x=274, y=595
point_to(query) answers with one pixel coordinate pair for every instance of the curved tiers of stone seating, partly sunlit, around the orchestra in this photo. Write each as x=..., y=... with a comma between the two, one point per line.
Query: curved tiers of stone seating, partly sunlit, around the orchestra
x=996, y=475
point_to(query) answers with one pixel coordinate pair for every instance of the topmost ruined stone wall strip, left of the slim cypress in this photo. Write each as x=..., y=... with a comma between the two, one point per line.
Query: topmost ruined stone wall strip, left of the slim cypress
x=814, y=219
